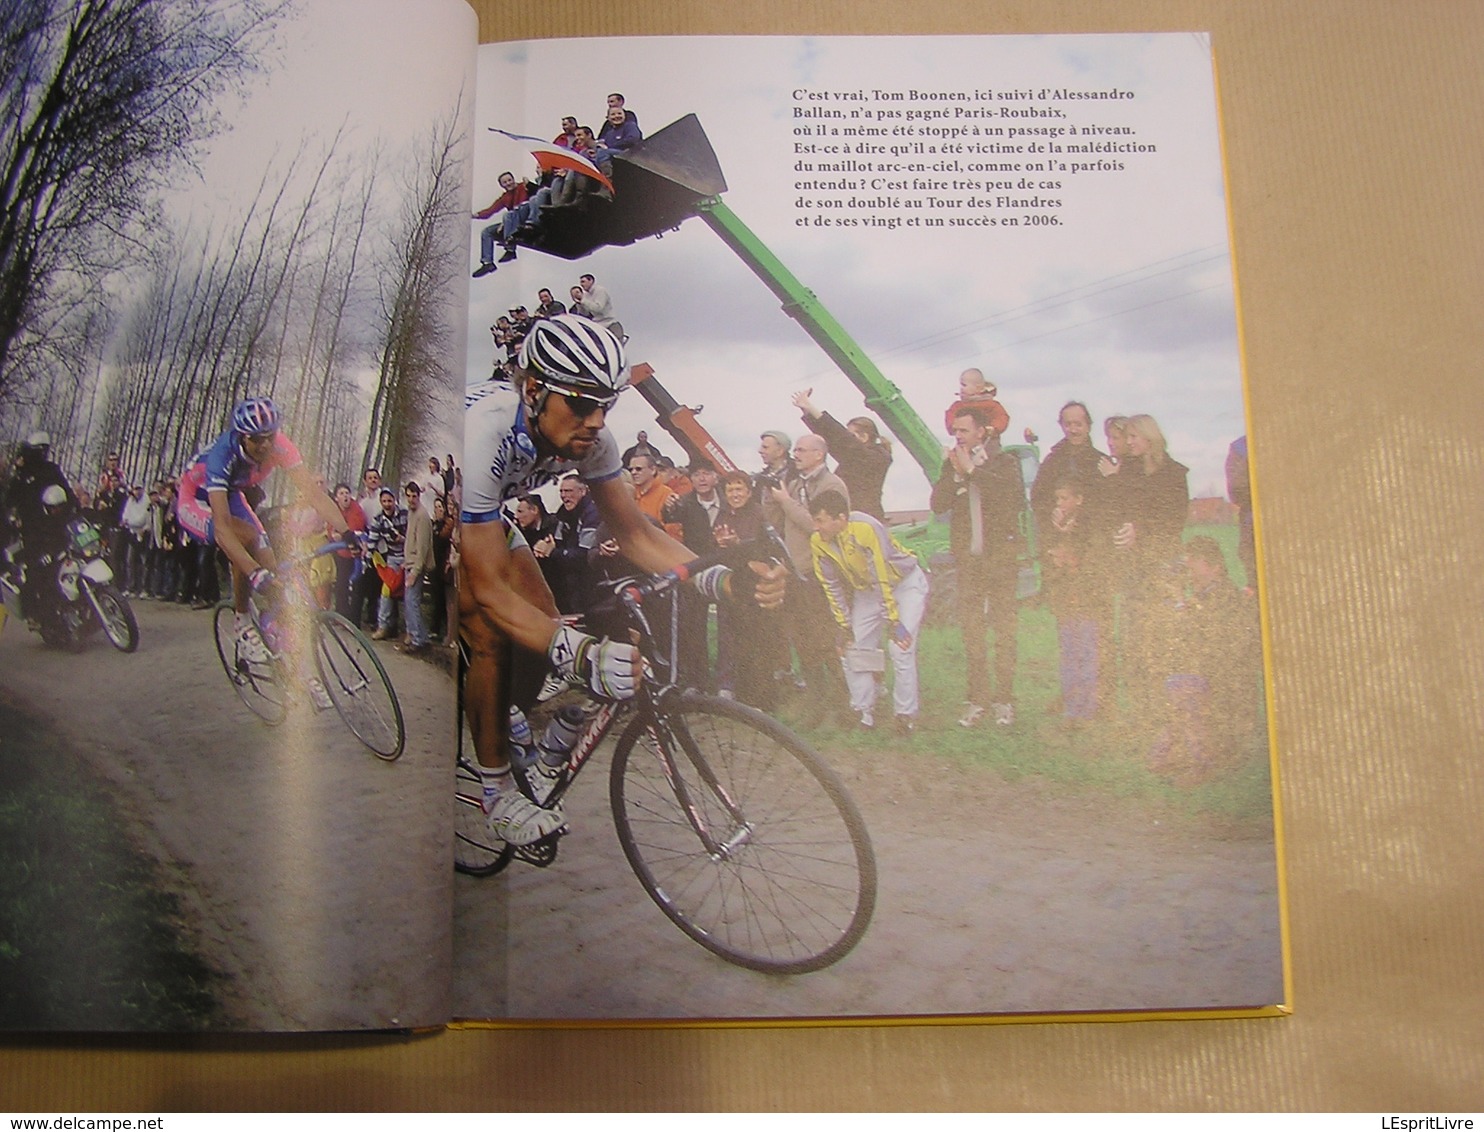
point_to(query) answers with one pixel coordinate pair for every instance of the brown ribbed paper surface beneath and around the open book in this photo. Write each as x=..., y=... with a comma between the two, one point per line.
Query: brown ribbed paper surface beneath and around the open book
x=1356, y=161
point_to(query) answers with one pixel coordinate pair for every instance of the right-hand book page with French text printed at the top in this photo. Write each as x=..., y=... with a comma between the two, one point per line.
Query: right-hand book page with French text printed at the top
x=1026, y=649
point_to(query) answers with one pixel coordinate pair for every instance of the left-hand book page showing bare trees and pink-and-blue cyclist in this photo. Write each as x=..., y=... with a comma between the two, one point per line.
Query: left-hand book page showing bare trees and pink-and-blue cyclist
x=216, y=821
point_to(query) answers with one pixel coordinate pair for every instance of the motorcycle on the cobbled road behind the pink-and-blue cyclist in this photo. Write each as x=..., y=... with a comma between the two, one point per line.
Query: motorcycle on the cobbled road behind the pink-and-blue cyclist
x=84, y=599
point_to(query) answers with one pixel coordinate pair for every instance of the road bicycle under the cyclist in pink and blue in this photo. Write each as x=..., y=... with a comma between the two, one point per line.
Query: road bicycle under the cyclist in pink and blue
x=345, y=661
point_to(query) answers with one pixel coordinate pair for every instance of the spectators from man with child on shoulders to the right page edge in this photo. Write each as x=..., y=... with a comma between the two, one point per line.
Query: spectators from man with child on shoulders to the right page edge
x=1152, y=633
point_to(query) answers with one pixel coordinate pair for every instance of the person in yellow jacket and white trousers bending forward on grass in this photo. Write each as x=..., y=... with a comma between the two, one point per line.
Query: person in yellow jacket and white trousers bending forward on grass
x=875, y=587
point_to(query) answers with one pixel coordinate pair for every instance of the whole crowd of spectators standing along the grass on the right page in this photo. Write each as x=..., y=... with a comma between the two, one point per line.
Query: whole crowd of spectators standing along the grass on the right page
x=1152, y=634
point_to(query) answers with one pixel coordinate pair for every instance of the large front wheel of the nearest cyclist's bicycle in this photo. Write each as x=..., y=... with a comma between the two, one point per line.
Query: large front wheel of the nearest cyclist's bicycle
x=743, y=836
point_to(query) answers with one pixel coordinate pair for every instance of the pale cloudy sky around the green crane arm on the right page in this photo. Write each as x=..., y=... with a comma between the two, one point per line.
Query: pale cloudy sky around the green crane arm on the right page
x=1129, y=306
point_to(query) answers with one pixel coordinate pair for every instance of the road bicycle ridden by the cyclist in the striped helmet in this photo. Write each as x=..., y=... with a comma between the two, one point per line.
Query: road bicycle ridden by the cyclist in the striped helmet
x=734, y=826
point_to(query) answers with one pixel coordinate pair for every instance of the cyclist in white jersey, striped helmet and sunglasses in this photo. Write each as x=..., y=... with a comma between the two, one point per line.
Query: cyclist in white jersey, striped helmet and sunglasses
x=519, y=437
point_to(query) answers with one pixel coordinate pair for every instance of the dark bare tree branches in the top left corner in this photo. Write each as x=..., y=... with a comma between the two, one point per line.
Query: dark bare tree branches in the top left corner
x=99, y=103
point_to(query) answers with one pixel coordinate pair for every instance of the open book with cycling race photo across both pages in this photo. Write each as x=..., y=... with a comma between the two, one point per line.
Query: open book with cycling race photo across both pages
x=931, y=340
